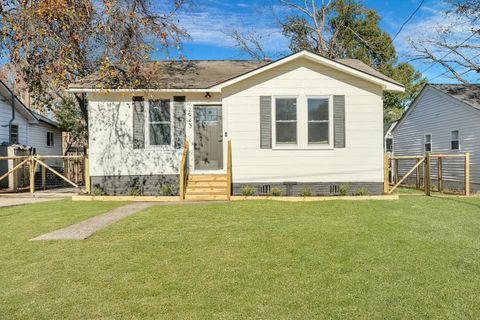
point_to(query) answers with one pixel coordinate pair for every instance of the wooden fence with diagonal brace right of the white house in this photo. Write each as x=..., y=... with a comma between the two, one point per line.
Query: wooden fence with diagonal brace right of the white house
x=422, y=171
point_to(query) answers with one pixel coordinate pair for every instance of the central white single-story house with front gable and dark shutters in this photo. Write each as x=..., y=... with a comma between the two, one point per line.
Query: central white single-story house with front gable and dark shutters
x=303, y=121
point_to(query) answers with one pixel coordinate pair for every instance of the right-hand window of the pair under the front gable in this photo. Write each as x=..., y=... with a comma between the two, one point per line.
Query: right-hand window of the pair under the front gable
x=318, y=121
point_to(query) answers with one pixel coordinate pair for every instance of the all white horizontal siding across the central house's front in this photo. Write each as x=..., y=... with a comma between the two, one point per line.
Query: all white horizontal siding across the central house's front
x=112, y=153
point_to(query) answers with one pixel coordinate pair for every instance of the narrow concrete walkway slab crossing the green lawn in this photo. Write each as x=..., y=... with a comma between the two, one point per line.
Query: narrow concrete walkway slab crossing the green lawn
x=85, y=229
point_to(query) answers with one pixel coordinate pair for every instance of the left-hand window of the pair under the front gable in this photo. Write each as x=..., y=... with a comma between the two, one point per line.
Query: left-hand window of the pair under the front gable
x=286, y=121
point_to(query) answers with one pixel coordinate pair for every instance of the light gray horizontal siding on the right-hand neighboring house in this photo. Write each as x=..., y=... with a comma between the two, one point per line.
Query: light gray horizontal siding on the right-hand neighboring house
x=438, y=114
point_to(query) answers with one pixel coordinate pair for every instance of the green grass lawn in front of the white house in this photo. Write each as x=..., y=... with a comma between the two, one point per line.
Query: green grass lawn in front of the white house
x=414, y=258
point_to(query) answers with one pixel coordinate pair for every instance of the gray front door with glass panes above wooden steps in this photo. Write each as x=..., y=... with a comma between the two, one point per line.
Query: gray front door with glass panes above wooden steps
x=208, y=142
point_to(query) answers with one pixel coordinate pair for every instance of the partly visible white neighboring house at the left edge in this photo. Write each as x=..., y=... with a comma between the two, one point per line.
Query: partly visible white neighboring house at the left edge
x=24, y=131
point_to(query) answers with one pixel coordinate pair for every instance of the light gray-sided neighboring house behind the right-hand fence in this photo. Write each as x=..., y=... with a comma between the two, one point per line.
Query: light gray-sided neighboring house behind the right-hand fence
x=443, y=119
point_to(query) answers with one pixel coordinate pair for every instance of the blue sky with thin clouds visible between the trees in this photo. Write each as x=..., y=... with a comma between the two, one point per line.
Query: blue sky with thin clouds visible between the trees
x=208, y=20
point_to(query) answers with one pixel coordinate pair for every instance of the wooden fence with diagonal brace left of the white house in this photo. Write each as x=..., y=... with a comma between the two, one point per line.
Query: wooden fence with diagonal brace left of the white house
x=38, y=172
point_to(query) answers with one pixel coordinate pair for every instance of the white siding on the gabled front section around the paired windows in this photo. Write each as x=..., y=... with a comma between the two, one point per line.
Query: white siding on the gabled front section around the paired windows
x=360, y=161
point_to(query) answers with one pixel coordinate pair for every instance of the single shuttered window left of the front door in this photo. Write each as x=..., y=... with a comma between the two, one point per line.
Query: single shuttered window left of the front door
x=160, y=123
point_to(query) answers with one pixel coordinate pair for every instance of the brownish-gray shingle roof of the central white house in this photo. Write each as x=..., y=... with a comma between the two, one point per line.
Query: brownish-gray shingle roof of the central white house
x=203, y=74
